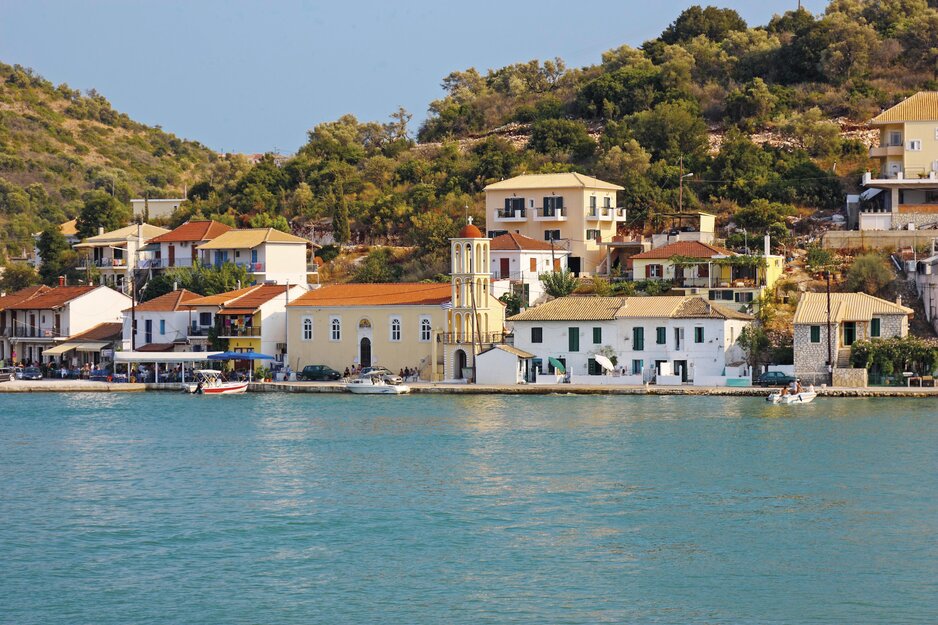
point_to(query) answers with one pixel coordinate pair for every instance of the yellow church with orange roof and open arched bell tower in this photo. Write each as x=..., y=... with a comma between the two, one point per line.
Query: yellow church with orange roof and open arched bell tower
x=435, y=328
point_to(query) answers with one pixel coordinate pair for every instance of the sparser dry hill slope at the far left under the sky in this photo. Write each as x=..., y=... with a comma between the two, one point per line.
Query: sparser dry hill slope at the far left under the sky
x=56, y=144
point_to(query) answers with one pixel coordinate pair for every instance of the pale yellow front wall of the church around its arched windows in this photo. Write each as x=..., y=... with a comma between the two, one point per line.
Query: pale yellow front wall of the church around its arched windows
x=410, y=351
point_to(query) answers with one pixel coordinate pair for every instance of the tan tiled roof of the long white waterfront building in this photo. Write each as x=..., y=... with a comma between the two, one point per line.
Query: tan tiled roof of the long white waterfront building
x=590, y=308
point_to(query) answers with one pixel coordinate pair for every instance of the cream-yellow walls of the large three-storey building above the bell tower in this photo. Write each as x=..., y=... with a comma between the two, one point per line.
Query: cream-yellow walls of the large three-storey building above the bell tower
x=576, y=205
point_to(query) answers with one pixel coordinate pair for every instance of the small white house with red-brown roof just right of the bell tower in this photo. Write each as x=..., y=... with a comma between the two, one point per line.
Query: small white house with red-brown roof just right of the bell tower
x=518, y=261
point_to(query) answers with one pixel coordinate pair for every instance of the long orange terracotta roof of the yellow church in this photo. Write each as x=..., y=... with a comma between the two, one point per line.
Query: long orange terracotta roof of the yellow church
x=397, y=294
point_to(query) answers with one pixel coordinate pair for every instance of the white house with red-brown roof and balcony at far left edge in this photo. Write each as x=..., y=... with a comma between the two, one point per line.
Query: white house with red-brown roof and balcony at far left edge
x=46, y=317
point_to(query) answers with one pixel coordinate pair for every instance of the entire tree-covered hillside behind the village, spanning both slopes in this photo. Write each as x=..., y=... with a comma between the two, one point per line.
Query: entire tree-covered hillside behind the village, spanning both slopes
x=770, y=119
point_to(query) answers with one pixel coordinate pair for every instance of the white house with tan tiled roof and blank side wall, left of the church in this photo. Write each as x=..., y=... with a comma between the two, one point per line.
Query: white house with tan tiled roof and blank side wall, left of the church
x=267, y=254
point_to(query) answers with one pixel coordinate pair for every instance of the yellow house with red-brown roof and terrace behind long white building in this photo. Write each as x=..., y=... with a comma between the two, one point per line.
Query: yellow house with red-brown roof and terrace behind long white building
x=723, y=276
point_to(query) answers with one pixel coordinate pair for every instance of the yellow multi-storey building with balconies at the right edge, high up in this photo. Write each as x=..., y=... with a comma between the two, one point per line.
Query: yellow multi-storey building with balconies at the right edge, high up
x=903, y=191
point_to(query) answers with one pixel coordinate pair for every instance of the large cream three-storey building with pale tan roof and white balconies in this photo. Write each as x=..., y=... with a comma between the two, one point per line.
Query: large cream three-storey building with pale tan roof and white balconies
x=577, y=211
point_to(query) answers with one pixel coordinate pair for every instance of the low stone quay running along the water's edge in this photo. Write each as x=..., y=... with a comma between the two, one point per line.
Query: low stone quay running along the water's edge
x=426, y=388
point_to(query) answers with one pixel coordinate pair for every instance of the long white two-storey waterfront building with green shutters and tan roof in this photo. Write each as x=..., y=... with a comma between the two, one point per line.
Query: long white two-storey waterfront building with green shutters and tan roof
x=667, y=339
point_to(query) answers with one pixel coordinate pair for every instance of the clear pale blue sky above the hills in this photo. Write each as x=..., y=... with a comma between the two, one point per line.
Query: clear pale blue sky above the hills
x=254, y=75
